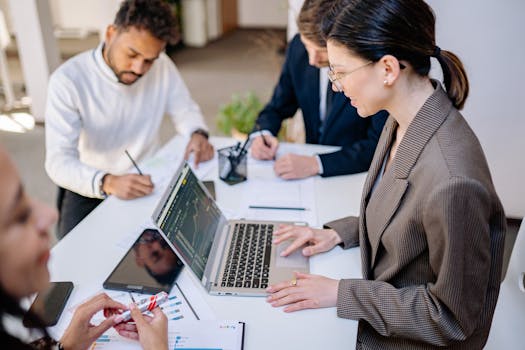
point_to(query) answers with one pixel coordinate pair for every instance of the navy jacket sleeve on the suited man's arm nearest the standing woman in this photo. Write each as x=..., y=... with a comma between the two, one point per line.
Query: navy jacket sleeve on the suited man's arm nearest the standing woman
x=355, y=157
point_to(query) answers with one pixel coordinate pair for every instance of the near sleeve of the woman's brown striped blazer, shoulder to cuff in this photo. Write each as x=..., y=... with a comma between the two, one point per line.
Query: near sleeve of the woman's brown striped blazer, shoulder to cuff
x=456, y=225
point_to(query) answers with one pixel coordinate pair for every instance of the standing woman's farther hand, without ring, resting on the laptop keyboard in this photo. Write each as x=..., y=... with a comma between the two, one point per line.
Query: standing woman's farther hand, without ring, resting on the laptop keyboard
x=316, y=240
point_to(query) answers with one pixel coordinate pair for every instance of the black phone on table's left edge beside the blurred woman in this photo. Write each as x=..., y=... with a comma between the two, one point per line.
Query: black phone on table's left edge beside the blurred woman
x=49, y=304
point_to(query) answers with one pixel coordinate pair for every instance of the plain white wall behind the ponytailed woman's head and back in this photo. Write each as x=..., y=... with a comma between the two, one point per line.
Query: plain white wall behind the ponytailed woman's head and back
x=488, y=37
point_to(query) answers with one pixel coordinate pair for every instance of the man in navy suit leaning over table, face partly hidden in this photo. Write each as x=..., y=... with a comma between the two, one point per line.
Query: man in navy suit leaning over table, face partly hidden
x=329, y=117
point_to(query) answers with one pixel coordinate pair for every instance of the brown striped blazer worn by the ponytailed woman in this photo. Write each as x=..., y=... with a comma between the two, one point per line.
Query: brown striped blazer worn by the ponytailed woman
x=431, y=236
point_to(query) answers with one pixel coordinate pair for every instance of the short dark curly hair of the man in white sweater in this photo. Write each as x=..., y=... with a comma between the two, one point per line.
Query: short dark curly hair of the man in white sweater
x=155, y=16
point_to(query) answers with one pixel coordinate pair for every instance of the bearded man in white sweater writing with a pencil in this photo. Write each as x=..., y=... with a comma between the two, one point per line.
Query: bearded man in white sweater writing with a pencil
x=111, y=99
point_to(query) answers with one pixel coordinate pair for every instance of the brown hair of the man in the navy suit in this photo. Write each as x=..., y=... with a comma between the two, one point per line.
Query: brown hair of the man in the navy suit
x=310, y=19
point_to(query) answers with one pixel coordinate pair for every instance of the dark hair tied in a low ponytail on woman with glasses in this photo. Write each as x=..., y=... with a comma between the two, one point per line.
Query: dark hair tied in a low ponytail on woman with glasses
x=402, y=28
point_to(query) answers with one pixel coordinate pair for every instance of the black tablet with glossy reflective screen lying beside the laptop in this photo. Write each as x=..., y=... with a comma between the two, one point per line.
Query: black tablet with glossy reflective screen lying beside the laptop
x=150, y=266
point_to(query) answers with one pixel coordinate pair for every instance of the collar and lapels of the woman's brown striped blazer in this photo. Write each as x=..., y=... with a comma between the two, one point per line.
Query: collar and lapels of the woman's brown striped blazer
x=380, y=206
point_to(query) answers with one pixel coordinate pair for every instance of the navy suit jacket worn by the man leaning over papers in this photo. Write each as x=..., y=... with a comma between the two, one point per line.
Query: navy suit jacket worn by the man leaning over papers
x=298, y=87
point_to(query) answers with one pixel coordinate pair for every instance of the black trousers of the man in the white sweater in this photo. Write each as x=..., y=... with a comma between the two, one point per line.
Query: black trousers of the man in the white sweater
x=72, y=209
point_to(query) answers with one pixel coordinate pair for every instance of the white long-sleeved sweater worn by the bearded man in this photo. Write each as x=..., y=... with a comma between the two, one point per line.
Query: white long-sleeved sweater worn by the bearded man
x=91, y=118
